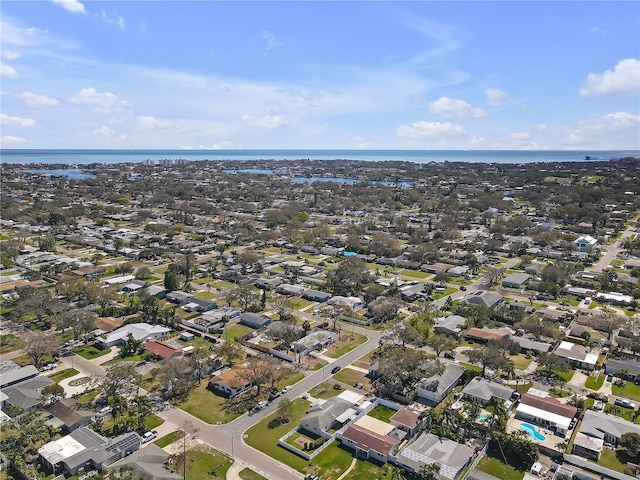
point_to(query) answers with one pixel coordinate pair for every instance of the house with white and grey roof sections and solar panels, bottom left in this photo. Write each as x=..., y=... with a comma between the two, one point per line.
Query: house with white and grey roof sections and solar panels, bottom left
x=84, y=449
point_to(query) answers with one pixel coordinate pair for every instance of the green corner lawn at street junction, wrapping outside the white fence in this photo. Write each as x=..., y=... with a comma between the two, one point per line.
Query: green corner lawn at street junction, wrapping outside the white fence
x=265, y=439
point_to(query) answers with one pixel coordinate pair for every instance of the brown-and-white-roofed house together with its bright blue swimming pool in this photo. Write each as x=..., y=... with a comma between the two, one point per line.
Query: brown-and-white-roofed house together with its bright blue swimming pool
x=554, y=417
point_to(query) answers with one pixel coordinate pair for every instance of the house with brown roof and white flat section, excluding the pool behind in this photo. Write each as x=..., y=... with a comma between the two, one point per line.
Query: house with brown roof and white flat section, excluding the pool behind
x=547, y=412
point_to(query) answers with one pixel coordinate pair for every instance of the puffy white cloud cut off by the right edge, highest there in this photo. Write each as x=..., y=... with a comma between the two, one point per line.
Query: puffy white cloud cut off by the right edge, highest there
x=624, y=79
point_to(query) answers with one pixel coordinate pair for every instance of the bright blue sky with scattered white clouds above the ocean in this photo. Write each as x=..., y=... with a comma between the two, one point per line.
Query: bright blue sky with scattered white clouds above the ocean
x=345, y=75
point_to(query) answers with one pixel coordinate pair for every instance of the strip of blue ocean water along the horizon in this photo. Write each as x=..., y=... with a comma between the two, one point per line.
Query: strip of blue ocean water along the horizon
x=84, y=157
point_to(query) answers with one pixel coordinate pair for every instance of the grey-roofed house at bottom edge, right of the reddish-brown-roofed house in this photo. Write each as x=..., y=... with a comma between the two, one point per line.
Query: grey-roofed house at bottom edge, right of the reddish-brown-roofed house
x=452, y=457
